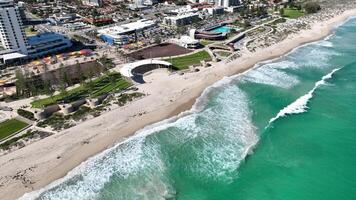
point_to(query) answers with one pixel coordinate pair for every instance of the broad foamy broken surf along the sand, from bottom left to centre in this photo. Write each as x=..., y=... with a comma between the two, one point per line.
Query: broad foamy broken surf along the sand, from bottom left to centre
x=138, y=168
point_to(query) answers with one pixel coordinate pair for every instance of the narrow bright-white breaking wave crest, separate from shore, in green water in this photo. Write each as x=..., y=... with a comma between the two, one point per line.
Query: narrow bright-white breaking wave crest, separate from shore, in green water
x=300, y=105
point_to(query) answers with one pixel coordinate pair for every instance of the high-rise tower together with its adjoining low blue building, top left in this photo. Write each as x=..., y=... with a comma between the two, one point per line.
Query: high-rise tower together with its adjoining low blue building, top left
x=15, y=45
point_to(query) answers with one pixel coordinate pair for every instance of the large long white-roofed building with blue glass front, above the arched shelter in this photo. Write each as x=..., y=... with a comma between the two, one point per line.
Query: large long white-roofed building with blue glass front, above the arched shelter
x=119, y=34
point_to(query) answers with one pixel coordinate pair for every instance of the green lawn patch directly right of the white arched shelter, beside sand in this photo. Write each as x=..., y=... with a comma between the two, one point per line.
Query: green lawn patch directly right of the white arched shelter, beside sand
x=184, y=62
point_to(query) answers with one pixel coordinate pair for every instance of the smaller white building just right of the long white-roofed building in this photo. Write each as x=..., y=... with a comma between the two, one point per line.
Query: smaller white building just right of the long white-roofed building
x=181, y=19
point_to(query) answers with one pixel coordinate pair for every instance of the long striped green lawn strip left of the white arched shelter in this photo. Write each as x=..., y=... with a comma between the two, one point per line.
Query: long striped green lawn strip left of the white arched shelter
x=103, y=85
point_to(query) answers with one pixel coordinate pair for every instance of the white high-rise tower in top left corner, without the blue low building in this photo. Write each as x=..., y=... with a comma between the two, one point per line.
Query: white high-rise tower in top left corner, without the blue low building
x=12, y=35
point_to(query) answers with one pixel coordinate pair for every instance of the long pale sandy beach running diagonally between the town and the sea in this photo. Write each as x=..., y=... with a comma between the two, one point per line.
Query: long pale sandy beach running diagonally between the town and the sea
x=47, y=160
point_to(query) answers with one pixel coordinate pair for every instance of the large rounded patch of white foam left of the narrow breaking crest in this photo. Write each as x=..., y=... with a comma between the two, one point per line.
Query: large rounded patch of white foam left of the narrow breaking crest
x=228, y=135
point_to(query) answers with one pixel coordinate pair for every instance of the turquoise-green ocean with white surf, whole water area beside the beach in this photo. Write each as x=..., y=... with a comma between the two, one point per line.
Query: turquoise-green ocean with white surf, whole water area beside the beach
x=284, y=130
